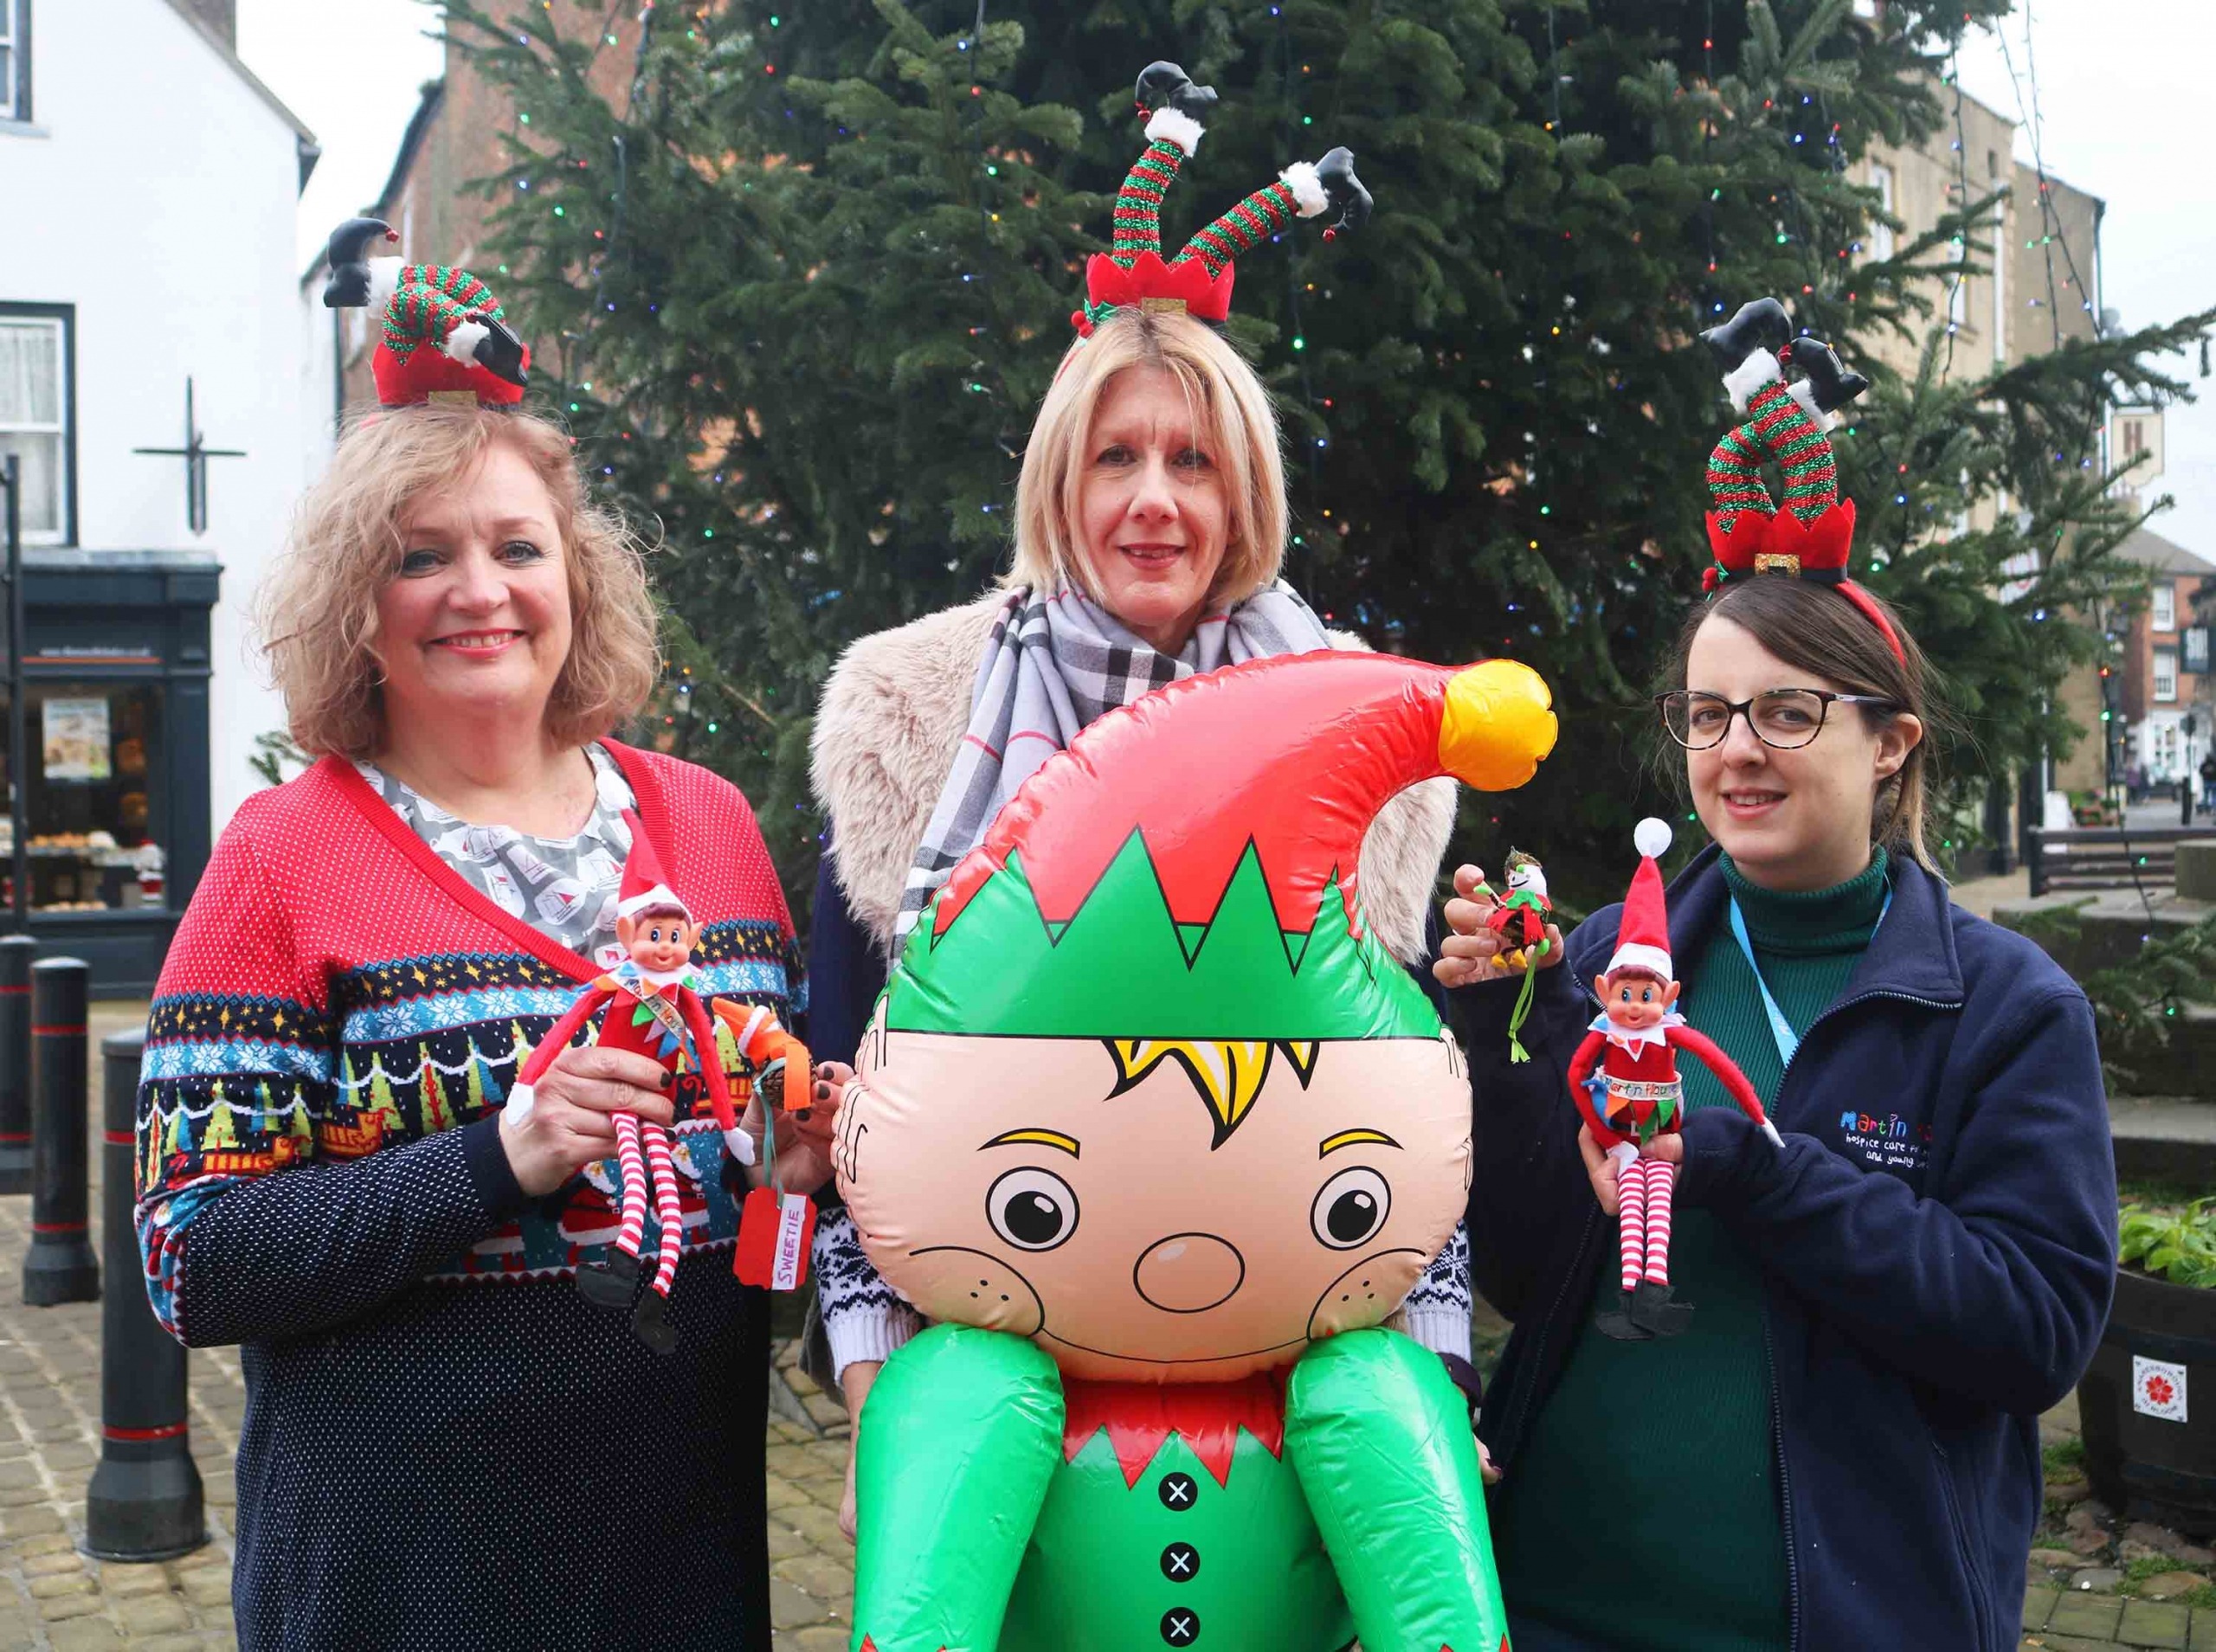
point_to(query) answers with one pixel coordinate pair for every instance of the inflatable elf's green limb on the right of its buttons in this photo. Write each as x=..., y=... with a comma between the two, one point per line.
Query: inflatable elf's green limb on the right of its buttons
x=1382, y=1443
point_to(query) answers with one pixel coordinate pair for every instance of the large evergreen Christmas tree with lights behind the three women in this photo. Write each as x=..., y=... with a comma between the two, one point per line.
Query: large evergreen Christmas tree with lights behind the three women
x=801, y=285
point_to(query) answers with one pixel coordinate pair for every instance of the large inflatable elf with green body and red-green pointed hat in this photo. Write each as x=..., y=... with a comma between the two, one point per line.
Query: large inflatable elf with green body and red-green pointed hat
x=1160, y=1137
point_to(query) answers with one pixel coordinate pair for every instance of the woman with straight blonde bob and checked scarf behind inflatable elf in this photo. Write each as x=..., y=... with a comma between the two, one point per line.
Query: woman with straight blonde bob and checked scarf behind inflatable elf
x=1149, y=539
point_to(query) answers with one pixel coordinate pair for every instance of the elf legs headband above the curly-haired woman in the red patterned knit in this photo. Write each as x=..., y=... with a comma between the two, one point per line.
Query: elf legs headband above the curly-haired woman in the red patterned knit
x=444, y=335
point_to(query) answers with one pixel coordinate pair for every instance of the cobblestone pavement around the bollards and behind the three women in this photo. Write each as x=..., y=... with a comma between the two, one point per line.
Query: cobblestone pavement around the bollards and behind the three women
x=2095, y=1582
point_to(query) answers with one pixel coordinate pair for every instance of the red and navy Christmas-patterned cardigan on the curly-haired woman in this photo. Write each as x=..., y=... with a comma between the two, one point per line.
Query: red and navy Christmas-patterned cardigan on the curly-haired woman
x=431, y=1403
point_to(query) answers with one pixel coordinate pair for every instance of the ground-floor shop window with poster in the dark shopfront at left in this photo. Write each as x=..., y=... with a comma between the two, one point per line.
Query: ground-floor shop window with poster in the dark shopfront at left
x=90, y=807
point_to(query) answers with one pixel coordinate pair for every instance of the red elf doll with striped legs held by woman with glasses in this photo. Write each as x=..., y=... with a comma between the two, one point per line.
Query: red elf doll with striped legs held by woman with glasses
x=1639, y=1095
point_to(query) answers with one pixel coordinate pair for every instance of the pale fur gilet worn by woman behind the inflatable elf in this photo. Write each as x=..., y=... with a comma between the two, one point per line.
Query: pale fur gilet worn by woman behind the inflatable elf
x=888, y=730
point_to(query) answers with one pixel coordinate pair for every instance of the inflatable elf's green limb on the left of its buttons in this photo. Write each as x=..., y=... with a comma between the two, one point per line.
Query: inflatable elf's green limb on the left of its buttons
x=961, y=1438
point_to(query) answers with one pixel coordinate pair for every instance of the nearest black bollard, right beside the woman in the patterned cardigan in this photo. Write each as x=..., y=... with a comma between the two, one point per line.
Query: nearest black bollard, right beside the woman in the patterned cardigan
x=145, y=1496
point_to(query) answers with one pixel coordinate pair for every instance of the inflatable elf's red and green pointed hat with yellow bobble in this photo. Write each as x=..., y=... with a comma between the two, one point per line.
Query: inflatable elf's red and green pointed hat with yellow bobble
x=1189, y=867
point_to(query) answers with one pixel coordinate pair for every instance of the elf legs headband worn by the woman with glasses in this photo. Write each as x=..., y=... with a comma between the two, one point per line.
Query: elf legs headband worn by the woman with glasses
x=1785, y=424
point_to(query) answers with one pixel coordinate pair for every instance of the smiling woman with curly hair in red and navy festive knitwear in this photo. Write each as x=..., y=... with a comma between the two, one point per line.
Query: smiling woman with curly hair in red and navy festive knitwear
x=444, y=1443
